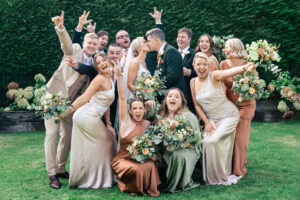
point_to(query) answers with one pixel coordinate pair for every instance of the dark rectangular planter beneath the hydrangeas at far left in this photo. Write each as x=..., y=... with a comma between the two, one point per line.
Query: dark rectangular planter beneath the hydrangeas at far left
x=20, y=121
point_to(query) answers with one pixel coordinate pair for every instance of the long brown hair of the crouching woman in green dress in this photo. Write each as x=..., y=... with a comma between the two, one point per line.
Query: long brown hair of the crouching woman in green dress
x=164, y=108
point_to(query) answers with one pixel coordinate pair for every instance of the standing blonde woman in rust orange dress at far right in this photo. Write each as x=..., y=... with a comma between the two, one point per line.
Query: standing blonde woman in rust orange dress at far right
x=235, y=52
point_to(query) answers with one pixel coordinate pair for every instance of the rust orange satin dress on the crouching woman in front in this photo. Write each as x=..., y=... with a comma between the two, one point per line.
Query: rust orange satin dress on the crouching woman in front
x=134, y=177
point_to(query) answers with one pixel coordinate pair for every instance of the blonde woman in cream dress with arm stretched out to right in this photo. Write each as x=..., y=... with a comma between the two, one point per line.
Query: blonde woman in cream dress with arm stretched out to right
x=220, y=117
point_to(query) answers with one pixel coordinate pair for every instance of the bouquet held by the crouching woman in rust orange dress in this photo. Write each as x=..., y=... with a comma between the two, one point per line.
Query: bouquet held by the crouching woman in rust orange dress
x=142, y=148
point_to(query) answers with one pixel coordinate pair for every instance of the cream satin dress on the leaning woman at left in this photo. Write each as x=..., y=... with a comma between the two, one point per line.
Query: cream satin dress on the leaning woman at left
x=92, y=146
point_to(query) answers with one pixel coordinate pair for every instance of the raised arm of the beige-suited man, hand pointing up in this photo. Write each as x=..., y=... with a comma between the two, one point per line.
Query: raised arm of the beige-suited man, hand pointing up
x=64, y=38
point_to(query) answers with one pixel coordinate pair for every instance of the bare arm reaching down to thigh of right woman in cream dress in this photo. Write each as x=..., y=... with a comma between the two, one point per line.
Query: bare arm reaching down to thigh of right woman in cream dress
x=208, y=127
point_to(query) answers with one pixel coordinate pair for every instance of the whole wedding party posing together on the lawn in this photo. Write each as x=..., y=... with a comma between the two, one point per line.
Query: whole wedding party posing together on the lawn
x=112, y=89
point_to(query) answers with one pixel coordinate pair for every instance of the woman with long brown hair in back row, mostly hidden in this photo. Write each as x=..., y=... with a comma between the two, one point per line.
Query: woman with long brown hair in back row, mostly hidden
x=206, y=45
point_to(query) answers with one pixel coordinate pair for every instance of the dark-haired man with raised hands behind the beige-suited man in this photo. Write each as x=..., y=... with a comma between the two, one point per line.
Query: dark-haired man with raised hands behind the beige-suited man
x=102, y=35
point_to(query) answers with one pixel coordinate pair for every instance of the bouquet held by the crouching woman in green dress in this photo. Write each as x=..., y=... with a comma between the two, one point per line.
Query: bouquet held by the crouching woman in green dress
x=175, y=134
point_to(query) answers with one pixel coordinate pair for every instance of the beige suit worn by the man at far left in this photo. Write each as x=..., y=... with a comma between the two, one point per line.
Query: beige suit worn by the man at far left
x=61, y=81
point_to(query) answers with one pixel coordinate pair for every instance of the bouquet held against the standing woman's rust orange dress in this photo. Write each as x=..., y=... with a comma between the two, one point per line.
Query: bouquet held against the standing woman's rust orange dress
x=249, y=86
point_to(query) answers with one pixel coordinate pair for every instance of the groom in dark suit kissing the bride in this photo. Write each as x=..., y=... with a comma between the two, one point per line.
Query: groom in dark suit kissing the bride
x=169, y=60
